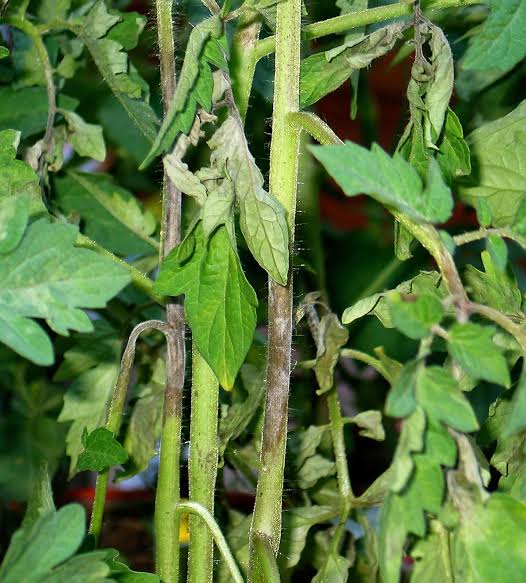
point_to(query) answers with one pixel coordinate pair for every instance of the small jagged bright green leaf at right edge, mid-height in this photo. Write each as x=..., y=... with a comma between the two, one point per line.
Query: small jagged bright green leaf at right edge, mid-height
x=494, y=288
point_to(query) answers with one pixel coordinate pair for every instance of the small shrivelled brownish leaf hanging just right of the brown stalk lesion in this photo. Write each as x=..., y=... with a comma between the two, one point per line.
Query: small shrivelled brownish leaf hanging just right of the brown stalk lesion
x=332, y=336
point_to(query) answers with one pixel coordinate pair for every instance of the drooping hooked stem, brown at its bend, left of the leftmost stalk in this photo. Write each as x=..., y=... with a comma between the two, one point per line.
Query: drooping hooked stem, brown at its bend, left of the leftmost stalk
x=115, y=413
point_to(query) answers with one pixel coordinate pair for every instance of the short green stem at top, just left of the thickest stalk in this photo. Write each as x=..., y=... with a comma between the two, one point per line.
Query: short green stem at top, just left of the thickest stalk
x=242, y=61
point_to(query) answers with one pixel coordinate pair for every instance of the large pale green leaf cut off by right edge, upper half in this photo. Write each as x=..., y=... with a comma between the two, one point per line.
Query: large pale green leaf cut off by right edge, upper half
x=498, y=151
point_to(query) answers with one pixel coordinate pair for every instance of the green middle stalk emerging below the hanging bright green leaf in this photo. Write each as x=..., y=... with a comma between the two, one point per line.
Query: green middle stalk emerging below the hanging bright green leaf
x=202, y=466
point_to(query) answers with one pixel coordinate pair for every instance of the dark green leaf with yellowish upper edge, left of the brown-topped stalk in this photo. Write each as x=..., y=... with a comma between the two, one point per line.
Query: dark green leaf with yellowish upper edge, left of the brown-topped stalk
x=112, y=216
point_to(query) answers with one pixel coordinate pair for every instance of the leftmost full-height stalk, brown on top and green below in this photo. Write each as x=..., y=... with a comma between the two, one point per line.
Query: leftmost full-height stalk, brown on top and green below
x=168, y=490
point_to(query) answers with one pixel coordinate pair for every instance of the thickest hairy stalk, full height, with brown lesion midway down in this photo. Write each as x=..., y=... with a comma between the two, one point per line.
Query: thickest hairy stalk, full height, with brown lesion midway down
x=266, y=521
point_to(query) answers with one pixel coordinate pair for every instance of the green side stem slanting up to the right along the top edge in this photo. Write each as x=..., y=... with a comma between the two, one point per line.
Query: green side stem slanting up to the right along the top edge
x=344, y=23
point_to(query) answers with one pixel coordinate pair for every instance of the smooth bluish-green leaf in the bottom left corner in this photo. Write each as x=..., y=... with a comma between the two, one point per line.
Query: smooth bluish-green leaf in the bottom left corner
x=50, y=541
